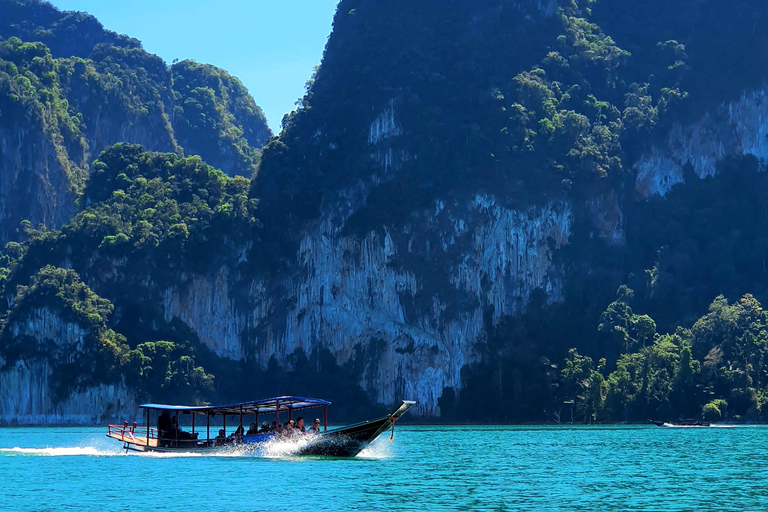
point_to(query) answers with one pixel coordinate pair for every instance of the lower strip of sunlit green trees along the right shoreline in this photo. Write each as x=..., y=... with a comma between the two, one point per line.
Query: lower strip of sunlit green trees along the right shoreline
x=714, y=369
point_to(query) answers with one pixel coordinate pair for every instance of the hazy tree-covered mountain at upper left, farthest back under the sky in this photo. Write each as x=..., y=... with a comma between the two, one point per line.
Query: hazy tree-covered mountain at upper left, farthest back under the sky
x=63, y=75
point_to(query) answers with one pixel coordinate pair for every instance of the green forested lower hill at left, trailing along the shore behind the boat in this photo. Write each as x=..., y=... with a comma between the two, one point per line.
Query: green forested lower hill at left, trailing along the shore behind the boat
x=152, y=220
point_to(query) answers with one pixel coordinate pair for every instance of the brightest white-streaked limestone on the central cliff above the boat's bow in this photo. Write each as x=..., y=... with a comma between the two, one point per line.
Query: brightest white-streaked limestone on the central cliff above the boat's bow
x=352, y=293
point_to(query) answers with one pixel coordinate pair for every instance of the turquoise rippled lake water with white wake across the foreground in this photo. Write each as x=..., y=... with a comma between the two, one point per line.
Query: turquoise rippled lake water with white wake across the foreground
x=424, y=468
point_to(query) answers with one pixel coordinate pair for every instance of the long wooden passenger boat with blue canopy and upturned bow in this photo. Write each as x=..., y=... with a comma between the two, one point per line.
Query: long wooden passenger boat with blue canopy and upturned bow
x=341, y=442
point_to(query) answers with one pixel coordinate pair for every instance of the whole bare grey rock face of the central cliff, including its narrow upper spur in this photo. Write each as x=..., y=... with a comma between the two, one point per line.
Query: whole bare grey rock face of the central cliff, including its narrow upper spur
x=415, y=298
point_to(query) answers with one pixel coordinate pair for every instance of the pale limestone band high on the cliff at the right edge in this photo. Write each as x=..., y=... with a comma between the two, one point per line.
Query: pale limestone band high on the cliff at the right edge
x=737, y=128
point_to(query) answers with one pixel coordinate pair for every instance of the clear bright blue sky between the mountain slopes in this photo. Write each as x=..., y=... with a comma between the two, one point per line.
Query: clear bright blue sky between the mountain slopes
x=272, y=46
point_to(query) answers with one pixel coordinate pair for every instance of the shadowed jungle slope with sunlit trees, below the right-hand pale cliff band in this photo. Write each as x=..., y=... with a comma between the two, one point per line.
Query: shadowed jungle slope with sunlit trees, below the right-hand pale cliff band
x=669, y=344
